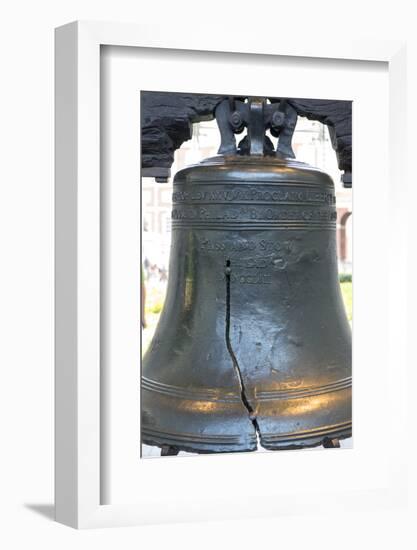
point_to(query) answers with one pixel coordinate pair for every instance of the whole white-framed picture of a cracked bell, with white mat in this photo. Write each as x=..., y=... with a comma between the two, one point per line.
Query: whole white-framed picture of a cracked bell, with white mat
x=230, y=265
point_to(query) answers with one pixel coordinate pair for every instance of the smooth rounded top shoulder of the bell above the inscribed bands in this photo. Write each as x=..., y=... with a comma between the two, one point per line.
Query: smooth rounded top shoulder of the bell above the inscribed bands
x=275, y=168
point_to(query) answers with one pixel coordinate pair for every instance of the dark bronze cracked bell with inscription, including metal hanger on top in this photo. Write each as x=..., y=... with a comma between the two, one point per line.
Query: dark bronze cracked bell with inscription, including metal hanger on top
x=253, y=346
